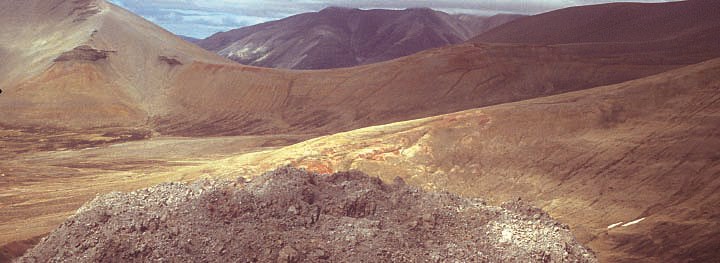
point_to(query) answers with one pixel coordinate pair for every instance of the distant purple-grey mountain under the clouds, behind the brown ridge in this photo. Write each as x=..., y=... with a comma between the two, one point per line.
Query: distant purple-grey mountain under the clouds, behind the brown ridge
x=342, y=37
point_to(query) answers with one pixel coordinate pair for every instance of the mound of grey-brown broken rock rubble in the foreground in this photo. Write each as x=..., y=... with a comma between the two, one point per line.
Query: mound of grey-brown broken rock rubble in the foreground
x=290, y=215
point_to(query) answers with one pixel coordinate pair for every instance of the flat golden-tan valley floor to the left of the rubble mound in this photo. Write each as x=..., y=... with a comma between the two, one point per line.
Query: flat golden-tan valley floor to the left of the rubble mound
x=44, y=179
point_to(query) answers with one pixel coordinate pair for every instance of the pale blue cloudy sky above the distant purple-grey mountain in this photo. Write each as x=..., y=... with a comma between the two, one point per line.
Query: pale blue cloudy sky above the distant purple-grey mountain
x=201, y=18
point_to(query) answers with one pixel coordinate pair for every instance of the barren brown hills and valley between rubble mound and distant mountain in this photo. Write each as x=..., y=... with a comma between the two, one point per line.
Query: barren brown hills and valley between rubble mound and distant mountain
x=616, y=138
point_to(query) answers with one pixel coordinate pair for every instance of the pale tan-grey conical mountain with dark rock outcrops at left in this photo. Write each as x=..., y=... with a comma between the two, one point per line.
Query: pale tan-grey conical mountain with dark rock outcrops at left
x=85, y=64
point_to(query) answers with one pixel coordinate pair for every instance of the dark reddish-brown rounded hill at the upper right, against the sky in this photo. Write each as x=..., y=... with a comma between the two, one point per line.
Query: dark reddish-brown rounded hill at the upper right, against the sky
x=617, y=22
